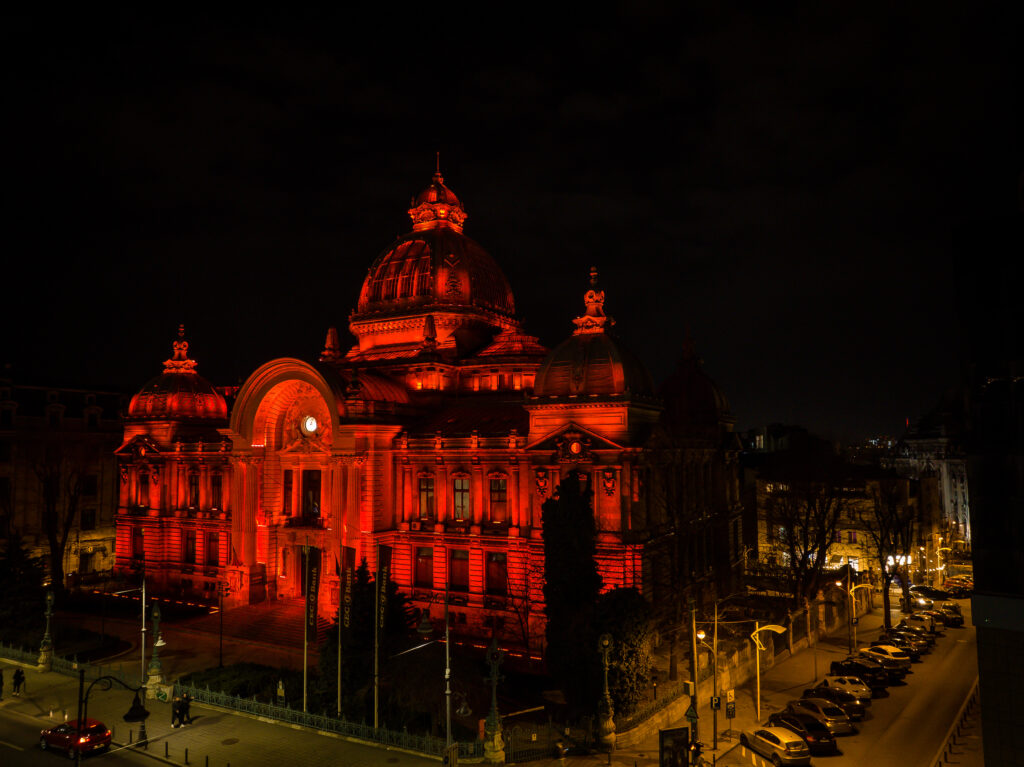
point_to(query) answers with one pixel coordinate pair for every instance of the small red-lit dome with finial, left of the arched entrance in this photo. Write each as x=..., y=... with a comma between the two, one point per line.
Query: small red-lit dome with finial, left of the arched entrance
x=180, y=393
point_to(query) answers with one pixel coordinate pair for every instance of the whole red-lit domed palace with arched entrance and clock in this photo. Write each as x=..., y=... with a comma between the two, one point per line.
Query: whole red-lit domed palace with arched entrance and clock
x=437, y=438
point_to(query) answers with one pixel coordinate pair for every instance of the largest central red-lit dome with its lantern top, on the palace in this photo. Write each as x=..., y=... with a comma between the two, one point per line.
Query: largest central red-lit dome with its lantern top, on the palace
x=436, y=265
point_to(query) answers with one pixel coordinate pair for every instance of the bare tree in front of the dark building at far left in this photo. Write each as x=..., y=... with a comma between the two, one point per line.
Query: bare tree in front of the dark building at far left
x=60, y=478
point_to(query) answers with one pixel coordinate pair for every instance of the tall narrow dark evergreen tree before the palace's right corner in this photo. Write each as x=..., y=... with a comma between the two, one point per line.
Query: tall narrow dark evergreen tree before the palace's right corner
x=572, y=585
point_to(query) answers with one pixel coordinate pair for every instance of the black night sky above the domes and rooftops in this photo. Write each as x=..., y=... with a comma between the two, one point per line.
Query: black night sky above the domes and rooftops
x=787, y=184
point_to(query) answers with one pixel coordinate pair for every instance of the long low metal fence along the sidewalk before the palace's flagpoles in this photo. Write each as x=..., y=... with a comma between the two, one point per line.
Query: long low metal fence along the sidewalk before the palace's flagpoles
x=421, y=744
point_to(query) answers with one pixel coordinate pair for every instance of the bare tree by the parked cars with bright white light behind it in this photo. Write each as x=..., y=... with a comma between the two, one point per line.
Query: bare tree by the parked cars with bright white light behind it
x=890, y=521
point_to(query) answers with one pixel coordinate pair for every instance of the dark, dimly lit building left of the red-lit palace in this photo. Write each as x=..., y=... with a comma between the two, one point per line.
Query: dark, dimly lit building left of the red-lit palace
x=58, y=443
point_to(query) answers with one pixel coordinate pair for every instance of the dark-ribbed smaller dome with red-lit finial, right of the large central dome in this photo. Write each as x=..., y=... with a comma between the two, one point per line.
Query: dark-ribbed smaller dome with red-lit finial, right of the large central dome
x=591, y=361
